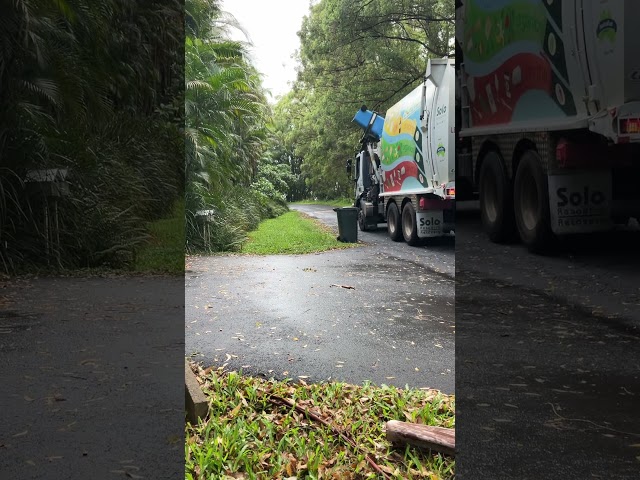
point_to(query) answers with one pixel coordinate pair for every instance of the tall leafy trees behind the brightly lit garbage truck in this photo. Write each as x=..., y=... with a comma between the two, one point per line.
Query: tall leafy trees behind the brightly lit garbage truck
x=355, y=52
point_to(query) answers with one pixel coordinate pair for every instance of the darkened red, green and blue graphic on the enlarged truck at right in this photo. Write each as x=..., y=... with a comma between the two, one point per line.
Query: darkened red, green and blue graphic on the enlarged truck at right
x=515, y=55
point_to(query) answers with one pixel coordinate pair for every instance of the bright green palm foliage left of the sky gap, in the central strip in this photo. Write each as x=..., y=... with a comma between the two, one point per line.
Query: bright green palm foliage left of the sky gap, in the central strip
x=234, y=175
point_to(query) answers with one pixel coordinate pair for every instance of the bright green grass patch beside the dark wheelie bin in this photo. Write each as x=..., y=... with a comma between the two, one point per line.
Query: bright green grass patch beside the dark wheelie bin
x=291, y=233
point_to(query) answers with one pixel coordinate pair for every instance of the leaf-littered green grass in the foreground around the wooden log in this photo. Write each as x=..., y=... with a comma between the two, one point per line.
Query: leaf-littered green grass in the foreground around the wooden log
x=248, y=436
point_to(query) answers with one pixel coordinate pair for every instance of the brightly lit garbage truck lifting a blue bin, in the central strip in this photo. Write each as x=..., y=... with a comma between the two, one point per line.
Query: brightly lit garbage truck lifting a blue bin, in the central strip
x=405, y=168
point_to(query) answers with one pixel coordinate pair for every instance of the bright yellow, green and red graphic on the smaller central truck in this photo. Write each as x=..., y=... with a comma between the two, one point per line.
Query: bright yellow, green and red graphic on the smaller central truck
x=401, y=144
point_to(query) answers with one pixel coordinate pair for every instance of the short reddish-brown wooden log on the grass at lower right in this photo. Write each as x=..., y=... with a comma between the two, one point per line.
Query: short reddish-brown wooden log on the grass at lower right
x=427, y=437
